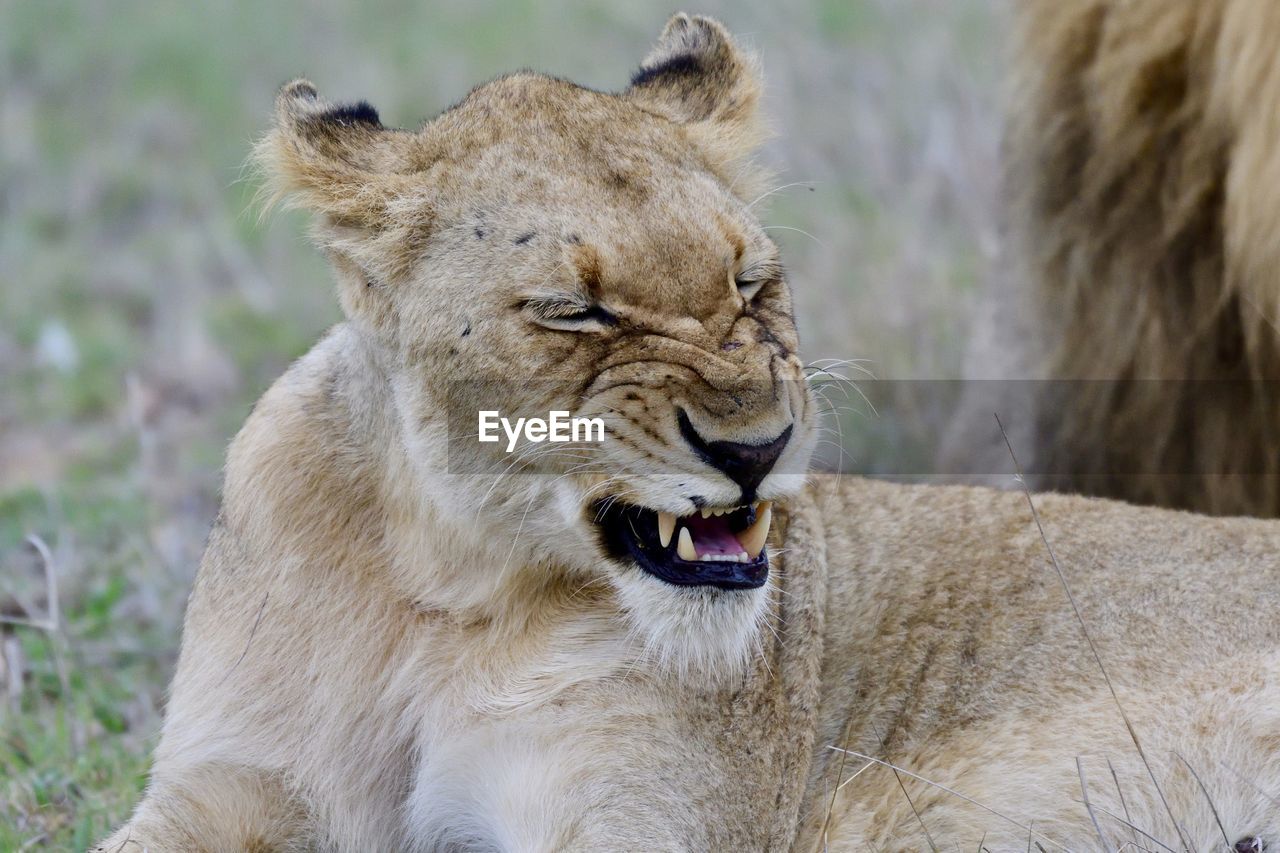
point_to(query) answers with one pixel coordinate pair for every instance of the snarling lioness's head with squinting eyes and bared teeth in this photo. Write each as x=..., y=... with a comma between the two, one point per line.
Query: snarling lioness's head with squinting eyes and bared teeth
x=546, y=248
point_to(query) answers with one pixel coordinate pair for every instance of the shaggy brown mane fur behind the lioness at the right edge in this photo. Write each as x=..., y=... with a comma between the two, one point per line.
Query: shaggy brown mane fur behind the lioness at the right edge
x=1142, y=170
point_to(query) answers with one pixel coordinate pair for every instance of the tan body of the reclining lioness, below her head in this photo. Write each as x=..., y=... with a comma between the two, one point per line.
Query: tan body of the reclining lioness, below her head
x=921, y=626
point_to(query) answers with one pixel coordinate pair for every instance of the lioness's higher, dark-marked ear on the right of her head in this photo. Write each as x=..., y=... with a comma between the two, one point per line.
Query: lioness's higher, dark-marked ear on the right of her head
x=698, y=77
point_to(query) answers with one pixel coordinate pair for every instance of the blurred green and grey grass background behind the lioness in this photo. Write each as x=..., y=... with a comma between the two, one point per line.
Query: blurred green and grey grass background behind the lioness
x=143, y=307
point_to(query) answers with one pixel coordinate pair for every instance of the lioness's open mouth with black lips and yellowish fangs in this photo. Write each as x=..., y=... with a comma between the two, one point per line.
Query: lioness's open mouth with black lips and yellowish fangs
x=715, y=548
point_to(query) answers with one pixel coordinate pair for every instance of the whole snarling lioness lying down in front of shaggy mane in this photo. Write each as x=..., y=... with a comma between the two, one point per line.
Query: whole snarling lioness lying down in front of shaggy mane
x=674, y=641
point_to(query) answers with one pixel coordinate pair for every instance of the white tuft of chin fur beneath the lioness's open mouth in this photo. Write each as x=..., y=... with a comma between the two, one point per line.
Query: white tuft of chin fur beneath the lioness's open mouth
x=694, y=631
